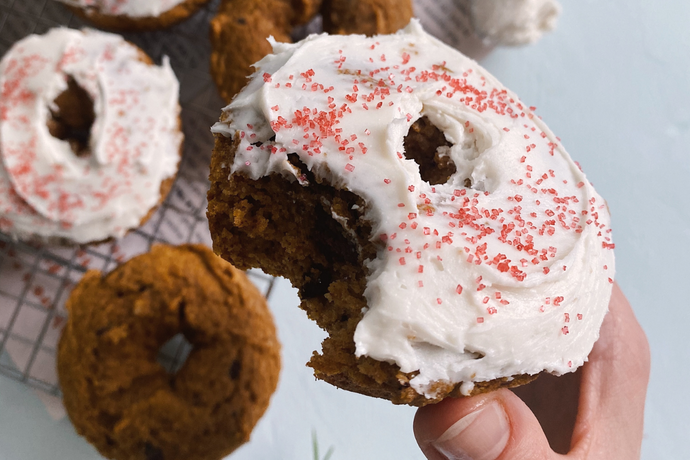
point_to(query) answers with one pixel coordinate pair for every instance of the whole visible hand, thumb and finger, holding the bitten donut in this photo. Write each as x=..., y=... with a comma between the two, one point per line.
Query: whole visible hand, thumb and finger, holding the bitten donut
x=606, y=422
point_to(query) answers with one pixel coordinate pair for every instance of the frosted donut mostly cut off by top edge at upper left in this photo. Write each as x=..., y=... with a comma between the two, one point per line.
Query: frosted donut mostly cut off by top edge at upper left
x=134, y=15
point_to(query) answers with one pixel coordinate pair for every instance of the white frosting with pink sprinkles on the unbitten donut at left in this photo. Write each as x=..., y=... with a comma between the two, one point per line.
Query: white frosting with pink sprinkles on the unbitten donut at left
x=45, y=189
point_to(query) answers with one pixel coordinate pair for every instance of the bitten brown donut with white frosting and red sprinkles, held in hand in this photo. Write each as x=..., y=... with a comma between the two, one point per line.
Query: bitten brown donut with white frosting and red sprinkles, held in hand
x=434, y=226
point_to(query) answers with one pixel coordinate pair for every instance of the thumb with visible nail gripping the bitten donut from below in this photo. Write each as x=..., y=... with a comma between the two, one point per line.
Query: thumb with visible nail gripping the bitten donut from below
x=492, y=426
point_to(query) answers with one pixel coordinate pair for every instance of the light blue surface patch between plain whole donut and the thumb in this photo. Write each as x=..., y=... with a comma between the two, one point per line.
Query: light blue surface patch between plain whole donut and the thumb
x=356, y=427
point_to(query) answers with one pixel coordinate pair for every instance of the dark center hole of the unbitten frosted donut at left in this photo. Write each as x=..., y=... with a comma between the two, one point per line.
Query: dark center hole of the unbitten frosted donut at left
x=72, y=116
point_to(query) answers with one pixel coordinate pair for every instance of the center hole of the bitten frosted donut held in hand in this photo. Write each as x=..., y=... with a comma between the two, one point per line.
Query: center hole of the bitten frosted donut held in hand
x=429, y=148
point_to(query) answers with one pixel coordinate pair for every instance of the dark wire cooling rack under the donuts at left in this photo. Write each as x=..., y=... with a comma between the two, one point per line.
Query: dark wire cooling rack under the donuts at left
x=36, y=281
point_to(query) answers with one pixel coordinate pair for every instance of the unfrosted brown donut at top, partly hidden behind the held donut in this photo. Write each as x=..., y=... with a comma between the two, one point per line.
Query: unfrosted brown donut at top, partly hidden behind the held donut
x=241, y=27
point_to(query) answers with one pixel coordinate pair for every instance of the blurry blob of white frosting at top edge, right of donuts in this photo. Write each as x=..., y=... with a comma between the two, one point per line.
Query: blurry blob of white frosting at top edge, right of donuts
x=514, y=22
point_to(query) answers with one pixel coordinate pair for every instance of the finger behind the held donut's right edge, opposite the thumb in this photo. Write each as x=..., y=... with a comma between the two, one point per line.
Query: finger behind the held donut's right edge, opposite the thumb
x=613, y=388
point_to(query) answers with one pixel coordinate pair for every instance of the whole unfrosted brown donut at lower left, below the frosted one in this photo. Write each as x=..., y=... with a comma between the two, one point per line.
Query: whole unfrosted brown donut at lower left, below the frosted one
x=123, y=401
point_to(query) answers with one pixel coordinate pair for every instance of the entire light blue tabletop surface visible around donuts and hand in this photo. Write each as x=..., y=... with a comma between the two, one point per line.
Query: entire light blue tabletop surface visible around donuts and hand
x=613, y=81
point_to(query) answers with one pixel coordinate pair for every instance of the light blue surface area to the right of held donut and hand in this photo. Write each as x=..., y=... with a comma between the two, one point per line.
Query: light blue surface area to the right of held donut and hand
x=613, y=82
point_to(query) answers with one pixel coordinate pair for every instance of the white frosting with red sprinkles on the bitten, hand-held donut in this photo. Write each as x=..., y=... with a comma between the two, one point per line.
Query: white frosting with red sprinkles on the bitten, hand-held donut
x=529, y=244
